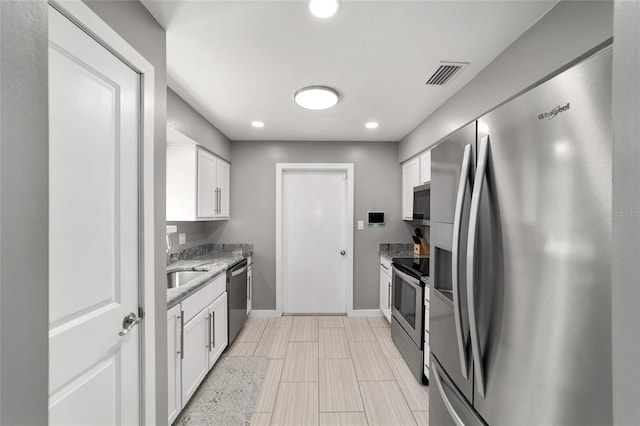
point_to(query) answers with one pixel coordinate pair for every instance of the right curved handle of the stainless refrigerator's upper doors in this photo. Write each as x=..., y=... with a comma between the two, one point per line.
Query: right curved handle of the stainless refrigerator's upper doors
x=471, y=251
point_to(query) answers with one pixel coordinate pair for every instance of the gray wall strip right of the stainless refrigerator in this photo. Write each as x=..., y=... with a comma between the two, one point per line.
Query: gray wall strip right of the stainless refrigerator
x=626, y=219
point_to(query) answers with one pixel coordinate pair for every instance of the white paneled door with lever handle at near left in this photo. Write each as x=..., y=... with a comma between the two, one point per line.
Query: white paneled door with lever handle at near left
x=93, y=220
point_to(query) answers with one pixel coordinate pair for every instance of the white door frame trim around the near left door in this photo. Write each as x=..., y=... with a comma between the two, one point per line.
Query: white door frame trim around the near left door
x=85, y=18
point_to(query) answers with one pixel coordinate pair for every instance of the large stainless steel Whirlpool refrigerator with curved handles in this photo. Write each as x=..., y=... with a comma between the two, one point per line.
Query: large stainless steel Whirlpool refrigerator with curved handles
x=520, y=319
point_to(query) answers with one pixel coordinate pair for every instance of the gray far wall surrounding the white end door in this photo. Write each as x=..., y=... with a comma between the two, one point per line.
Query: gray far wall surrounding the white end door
x=253, y=194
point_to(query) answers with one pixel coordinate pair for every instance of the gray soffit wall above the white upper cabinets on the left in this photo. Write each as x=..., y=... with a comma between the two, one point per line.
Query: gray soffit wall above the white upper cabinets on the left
x=182, y=117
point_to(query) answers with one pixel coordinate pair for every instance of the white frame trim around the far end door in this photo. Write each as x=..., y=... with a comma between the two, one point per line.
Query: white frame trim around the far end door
x=348, y=168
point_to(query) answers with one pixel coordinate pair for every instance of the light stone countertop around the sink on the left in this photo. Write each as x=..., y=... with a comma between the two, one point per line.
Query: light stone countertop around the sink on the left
x=214, y=263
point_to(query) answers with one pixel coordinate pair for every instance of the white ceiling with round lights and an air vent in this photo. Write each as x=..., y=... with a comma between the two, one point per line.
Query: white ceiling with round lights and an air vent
x=240, y=61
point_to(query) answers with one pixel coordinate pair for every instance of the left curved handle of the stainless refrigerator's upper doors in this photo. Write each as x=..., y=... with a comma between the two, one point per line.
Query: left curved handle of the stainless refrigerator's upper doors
x=455, y=252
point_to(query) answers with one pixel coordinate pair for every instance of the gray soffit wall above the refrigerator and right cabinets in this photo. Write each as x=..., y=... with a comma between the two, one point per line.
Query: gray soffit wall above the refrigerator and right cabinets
x=569, y=30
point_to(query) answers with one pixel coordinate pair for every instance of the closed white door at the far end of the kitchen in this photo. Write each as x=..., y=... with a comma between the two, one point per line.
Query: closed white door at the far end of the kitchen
x=314, y=223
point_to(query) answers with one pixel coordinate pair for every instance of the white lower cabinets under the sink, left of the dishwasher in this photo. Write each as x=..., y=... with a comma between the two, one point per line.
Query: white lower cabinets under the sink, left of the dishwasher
x=195, y=345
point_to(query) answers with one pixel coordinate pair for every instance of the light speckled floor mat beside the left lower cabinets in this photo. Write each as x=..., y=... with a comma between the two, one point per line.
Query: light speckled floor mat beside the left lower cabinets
x=227, y=395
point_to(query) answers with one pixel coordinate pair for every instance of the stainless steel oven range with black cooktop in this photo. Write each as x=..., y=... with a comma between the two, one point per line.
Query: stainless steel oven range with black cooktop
x=407, y=311
